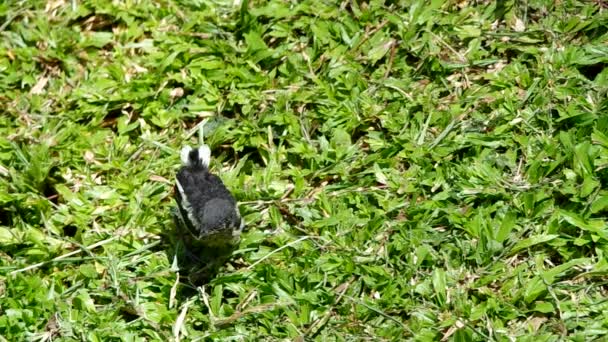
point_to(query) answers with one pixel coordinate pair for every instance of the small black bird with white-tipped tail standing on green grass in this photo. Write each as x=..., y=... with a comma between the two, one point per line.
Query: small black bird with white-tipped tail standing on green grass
x=207, y=209
